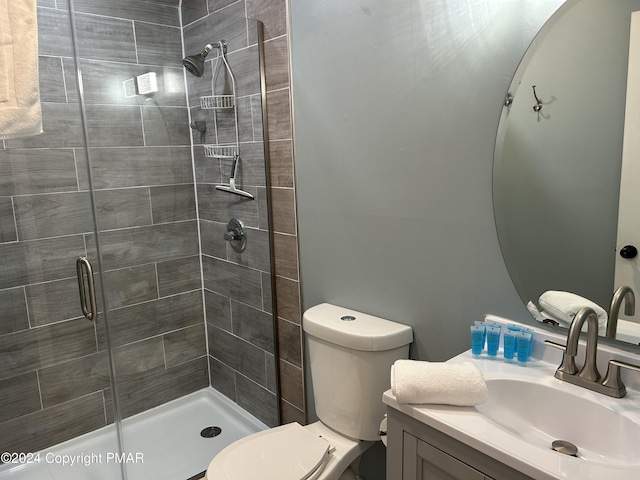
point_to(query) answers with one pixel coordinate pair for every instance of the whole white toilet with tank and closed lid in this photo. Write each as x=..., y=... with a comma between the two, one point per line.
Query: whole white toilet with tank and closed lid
x=350, y=355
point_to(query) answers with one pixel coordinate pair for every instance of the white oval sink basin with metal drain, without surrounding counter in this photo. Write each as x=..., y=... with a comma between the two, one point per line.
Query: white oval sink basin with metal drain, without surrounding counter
x=539, y=414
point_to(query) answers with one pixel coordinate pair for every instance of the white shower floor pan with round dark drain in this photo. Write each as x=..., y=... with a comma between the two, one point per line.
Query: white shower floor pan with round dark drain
x=163, y=443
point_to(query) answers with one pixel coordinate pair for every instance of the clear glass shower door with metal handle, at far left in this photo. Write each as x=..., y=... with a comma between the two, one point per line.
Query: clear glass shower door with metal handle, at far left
x=56, y=401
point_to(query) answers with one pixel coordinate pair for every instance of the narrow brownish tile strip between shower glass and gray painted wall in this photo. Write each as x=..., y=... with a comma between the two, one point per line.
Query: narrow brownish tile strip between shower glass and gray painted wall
x=273, y=15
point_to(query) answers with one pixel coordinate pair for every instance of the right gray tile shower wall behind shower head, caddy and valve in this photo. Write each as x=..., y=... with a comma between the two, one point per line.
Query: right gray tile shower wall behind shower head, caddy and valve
x=237, y=285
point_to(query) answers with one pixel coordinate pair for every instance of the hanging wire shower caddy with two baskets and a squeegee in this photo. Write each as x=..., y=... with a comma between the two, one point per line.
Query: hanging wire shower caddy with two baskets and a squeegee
x=224, y=102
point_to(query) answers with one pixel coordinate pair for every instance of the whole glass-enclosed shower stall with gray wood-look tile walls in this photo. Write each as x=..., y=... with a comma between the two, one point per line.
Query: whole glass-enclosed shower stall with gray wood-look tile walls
x=120, y=190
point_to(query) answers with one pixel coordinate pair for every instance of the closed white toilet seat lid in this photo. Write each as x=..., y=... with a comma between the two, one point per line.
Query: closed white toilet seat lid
x=288, y=452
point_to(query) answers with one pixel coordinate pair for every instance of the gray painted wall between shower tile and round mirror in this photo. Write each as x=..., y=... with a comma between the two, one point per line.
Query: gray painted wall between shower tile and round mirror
x=396, y=107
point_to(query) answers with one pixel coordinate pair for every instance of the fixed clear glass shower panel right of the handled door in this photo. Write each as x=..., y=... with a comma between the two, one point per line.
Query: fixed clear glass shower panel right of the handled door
x=161, y=265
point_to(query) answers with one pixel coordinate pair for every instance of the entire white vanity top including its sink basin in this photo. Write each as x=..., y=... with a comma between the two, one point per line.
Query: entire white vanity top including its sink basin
x=528, y=409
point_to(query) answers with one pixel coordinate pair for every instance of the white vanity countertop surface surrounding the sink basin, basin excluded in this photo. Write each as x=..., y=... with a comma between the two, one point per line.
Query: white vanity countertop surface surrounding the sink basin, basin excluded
x=469, y=426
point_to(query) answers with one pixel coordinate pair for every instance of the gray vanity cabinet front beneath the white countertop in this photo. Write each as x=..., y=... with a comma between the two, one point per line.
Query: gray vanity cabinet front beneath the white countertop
x=416, y=451
